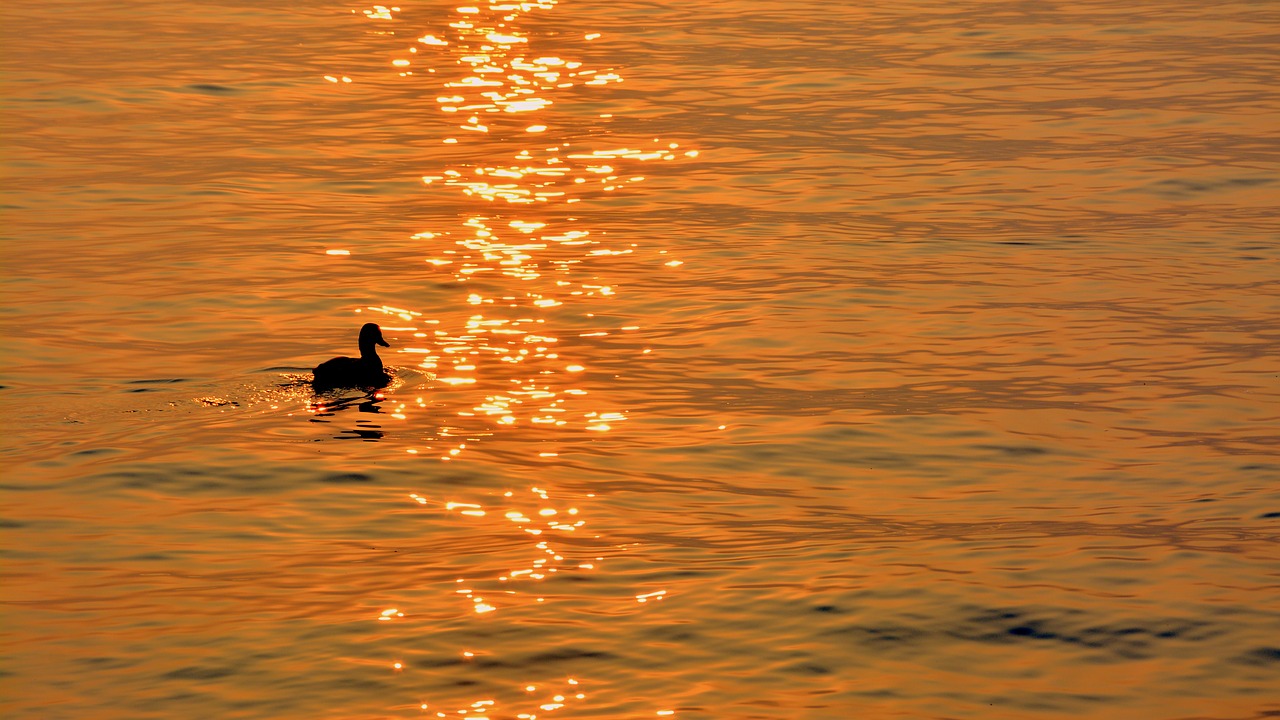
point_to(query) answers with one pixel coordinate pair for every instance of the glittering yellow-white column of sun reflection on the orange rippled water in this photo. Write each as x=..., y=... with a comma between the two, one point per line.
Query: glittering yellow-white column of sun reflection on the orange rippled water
x=495, y=362
